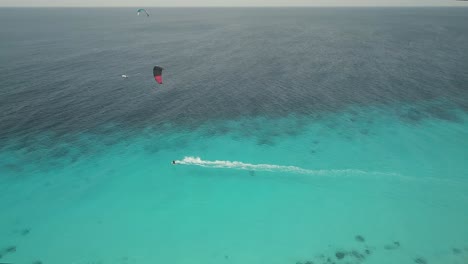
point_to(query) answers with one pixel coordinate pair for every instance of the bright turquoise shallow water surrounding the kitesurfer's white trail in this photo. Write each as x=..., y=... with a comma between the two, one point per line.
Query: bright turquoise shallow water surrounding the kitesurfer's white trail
x=400, y=186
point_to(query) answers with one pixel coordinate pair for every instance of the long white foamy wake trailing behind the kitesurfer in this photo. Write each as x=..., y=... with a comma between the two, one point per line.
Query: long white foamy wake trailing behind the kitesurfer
x=225, y=164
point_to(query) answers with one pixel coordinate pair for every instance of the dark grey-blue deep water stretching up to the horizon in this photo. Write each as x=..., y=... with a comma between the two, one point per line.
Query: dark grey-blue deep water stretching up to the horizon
x=60, y=66
